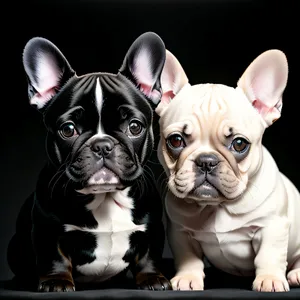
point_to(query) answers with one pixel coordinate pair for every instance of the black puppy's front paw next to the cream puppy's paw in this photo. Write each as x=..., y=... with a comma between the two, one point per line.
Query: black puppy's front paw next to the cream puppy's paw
x=153, y=281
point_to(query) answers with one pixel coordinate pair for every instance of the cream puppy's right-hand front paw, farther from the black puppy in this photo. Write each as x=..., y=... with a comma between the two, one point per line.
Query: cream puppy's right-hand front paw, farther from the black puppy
x=270, y=283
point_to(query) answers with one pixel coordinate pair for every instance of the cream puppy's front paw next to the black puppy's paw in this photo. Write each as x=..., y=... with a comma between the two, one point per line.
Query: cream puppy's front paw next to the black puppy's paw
x=186, y=282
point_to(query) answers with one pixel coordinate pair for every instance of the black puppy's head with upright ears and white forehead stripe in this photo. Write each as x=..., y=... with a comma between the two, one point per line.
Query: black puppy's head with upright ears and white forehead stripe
x=100, y=124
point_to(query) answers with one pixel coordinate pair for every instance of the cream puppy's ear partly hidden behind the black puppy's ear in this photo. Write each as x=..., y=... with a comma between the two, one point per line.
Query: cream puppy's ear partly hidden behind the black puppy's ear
x=173, y=79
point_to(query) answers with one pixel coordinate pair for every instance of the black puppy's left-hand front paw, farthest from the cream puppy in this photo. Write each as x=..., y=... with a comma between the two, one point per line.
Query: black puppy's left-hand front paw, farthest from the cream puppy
x=56, y=285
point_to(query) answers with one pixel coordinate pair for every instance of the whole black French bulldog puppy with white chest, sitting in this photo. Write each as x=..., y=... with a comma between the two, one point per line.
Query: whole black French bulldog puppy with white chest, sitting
x=94, y=214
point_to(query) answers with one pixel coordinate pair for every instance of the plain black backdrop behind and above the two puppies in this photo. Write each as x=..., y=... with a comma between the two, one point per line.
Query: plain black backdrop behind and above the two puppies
x=214, y=41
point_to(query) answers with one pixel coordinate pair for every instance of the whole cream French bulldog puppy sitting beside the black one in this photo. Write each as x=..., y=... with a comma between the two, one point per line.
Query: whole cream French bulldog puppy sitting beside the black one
x=226, y=198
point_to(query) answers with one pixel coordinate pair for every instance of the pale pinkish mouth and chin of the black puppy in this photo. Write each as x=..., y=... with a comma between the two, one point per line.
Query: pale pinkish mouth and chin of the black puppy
x=102, y=181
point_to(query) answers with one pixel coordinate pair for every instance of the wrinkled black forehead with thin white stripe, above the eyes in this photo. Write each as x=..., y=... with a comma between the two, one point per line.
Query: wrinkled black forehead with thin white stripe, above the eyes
x=98, y=94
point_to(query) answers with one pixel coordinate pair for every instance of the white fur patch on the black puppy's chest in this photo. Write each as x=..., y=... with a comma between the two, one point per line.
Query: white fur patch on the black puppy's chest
x=112, y=212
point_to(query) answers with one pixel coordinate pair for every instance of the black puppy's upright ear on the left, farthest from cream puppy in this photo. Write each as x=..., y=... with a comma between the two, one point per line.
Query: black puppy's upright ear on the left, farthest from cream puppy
x=47, y=70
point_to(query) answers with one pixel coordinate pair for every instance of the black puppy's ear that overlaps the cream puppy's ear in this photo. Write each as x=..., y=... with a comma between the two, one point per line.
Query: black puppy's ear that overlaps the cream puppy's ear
x=143, y=64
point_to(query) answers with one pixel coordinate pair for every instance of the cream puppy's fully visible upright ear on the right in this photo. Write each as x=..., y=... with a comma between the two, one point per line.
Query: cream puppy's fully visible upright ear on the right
x=264, y=82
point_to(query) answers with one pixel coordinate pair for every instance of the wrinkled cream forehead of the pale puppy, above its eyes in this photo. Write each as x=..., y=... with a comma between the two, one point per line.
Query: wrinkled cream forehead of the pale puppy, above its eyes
x=210, y=107
